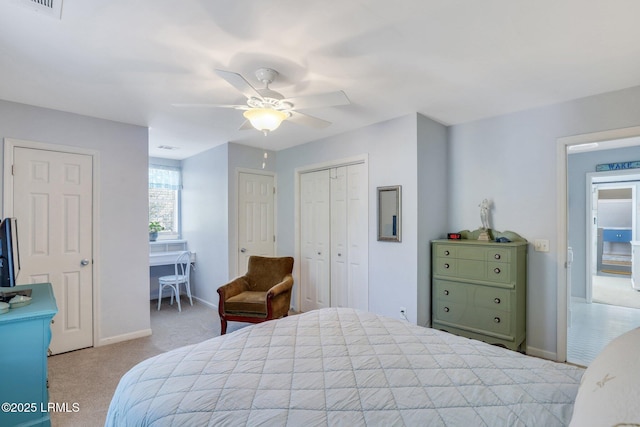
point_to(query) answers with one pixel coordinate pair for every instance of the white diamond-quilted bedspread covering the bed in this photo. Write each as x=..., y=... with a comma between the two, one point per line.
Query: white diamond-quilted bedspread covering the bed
x=344, y=367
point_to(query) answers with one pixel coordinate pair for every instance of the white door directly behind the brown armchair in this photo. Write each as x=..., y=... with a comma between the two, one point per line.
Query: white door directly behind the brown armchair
x=256, y=234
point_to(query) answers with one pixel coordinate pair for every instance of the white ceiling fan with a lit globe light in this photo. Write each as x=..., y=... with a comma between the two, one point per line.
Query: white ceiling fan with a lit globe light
x=266, y=109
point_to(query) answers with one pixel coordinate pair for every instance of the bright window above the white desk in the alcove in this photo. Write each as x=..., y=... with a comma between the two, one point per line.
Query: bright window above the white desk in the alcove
x=164, y=199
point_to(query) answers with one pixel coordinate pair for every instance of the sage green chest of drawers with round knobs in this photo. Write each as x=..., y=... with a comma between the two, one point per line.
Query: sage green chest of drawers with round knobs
x=479, y=290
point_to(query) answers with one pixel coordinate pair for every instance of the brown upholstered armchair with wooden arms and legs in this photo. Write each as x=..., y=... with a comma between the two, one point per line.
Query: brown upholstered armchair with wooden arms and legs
x=263, y=293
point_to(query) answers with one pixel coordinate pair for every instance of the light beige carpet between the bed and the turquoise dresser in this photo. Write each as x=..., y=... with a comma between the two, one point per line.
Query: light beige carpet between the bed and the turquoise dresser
x=89, y=377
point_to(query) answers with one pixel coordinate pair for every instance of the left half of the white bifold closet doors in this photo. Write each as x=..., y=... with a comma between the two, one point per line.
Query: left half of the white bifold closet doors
x=314, y=241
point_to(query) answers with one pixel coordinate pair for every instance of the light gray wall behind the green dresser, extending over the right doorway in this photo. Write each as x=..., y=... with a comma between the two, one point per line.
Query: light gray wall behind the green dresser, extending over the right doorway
x=511, y=159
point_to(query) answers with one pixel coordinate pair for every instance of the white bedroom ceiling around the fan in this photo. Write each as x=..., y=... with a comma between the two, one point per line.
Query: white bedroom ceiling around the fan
x=451, y=60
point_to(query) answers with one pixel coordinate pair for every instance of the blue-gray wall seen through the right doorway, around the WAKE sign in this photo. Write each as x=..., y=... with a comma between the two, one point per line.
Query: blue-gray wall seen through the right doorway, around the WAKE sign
x=578, y=166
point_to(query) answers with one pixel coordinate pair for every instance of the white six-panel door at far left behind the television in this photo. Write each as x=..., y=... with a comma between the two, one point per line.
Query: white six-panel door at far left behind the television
x=52, y=201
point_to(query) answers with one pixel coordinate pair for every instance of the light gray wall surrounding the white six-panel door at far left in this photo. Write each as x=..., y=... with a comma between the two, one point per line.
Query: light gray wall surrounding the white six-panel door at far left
x=122, y=261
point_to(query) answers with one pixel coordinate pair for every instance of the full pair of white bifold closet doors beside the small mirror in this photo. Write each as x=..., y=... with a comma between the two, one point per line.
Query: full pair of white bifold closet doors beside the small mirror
x=334, y=238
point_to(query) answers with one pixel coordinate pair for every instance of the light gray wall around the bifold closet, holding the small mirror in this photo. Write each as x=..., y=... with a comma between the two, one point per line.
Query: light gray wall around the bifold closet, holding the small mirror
x=392, y=149
